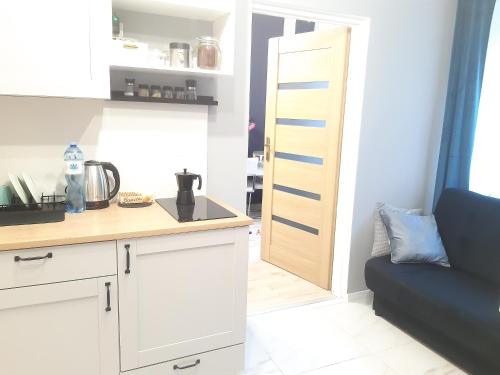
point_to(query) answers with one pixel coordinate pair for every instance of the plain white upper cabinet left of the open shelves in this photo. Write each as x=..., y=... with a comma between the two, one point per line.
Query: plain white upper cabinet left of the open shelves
x=55, y=48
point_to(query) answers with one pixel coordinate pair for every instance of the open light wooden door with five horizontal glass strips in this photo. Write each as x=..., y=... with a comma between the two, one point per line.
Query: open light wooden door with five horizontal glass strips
x=306, y=84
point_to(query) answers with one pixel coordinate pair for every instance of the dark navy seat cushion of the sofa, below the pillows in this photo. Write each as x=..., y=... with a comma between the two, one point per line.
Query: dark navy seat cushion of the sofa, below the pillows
x=455, y=303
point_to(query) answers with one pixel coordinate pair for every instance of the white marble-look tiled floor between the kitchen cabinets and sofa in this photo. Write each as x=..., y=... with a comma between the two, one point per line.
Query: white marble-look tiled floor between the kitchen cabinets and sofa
x=335, y=338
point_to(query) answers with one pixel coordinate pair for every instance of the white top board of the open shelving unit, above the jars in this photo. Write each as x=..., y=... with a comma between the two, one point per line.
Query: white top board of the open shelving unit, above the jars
x=208, y=10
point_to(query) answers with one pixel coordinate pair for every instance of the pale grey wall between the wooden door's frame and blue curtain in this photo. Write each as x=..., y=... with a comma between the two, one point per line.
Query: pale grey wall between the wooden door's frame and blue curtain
x=405, y=90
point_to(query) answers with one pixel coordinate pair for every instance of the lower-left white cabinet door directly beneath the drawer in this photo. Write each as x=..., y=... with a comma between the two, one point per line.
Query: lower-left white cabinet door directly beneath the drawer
x=60, y=329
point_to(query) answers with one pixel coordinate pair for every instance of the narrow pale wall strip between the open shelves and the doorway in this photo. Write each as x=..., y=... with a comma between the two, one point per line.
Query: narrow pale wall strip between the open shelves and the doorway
x=228, y=123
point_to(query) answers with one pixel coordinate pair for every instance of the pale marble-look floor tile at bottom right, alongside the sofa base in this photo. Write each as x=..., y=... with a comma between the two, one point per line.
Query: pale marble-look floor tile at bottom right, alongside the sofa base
x=416, y=359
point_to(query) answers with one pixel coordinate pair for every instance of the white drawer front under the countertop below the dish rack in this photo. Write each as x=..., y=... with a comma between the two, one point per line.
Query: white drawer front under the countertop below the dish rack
x=55, y=264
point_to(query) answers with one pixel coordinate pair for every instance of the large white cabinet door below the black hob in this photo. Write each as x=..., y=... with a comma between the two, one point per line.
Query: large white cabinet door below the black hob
x=184, y=294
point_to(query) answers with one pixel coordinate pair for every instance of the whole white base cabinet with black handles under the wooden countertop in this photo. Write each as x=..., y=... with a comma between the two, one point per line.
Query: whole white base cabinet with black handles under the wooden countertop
x=181, y=300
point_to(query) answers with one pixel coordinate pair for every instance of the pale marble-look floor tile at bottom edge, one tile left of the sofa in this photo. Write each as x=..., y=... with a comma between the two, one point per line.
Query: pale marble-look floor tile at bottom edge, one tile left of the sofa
x=369, y=365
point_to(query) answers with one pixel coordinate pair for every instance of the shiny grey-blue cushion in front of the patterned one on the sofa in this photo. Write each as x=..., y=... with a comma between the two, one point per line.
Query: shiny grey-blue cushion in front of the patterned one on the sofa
x=413, y=238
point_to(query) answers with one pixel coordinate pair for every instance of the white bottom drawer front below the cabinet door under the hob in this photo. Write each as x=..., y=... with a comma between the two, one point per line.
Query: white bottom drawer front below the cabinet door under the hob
x=227, y=361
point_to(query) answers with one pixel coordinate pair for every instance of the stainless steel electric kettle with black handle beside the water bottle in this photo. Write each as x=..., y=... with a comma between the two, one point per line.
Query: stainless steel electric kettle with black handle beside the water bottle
x=97, y=187
